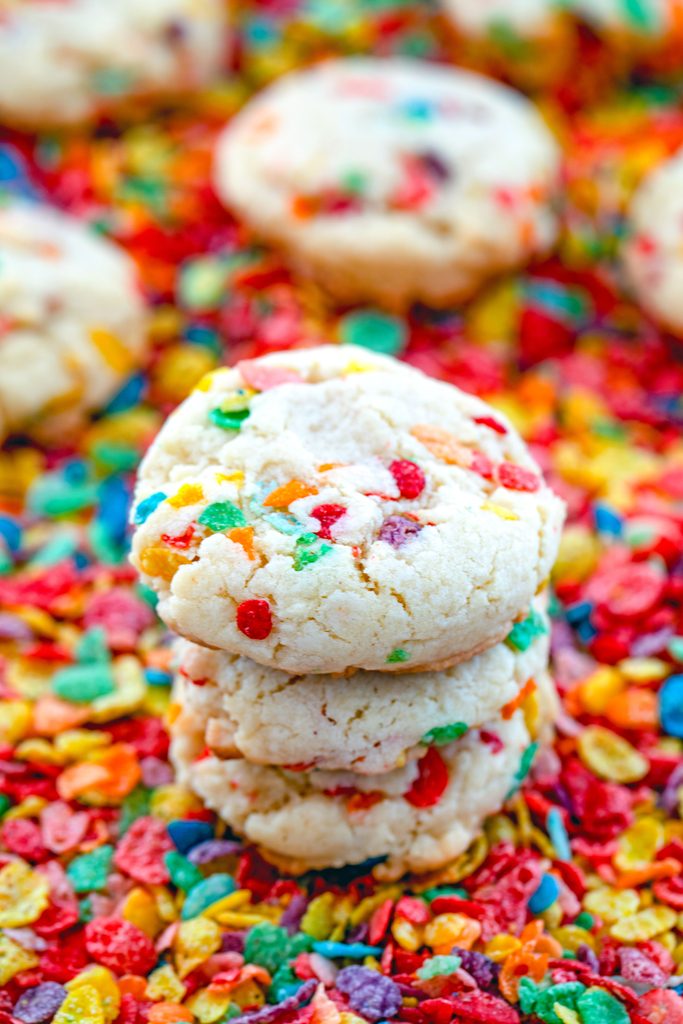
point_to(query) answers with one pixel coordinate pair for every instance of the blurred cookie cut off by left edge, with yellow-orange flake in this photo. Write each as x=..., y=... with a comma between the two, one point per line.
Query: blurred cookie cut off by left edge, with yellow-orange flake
x=73, y=318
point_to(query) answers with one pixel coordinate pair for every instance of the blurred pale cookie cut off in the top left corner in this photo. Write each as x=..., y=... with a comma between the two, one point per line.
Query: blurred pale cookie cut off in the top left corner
x=66, y=63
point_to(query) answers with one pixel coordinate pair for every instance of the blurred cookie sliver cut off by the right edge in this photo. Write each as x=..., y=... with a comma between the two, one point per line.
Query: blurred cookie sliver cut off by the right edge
x=654, y=250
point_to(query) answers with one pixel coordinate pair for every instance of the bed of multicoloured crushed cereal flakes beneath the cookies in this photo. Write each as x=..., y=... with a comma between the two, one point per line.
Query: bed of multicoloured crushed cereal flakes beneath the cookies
x=121, y=900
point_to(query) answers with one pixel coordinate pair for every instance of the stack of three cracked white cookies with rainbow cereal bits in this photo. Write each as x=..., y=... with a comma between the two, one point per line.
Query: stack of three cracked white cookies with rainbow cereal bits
x=355, y=556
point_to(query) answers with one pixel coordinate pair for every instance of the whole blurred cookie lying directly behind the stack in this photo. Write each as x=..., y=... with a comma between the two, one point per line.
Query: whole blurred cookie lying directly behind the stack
x=393, y=181
